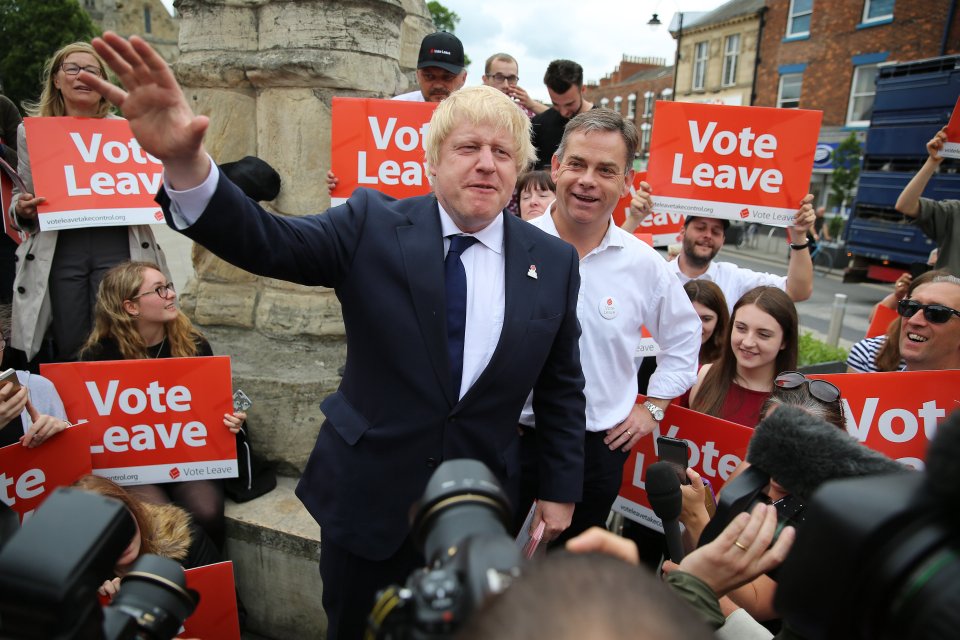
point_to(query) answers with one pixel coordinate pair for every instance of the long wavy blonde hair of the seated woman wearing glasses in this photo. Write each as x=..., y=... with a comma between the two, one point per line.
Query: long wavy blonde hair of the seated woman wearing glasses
x=111, y=319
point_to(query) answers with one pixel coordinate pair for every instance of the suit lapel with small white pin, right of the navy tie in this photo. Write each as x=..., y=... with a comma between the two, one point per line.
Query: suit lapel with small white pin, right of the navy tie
x=520, y=292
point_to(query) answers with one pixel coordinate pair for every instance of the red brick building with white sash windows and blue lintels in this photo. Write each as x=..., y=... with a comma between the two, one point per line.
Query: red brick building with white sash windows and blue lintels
x=824, y=55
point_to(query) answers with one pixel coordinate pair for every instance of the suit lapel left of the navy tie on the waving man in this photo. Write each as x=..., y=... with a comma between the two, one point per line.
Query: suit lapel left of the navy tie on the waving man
x=421, y=244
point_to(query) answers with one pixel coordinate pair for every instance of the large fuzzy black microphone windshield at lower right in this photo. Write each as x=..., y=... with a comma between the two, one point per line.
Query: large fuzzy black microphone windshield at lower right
x=801, y=452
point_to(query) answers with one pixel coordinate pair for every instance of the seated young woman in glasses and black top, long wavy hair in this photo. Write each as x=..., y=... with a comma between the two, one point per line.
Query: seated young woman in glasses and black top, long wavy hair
x=137, y=317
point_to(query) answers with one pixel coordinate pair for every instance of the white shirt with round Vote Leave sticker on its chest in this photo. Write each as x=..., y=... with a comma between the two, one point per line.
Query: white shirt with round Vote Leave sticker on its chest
x=624, y=284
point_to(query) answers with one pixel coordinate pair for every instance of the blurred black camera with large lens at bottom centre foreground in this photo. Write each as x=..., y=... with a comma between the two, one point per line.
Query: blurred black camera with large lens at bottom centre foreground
x=461, y=525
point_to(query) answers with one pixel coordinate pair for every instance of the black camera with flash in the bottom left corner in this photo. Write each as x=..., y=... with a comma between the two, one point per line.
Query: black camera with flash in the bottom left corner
x=51, y=569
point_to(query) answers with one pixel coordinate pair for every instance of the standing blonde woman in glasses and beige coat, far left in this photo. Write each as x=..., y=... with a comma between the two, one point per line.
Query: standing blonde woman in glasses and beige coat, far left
x=58, y=271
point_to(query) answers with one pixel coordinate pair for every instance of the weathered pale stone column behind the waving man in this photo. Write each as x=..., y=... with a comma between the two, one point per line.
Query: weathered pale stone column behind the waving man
x=265, y=73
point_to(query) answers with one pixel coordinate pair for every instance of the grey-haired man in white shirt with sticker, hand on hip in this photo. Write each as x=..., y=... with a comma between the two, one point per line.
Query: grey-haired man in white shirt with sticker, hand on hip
x=624, y=284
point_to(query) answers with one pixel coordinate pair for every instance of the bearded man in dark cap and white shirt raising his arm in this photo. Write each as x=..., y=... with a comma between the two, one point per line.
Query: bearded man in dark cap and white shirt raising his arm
x=703, y=237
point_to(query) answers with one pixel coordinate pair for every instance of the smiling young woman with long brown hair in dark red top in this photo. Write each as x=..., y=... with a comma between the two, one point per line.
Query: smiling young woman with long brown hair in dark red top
x=760, y=341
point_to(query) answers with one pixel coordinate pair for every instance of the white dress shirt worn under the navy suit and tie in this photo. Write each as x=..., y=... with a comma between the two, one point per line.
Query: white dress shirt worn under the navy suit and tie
x=483, y=262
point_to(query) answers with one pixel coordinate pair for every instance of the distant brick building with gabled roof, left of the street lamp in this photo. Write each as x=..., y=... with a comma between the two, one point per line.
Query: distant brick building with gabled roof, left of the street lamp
x=631, y=90
